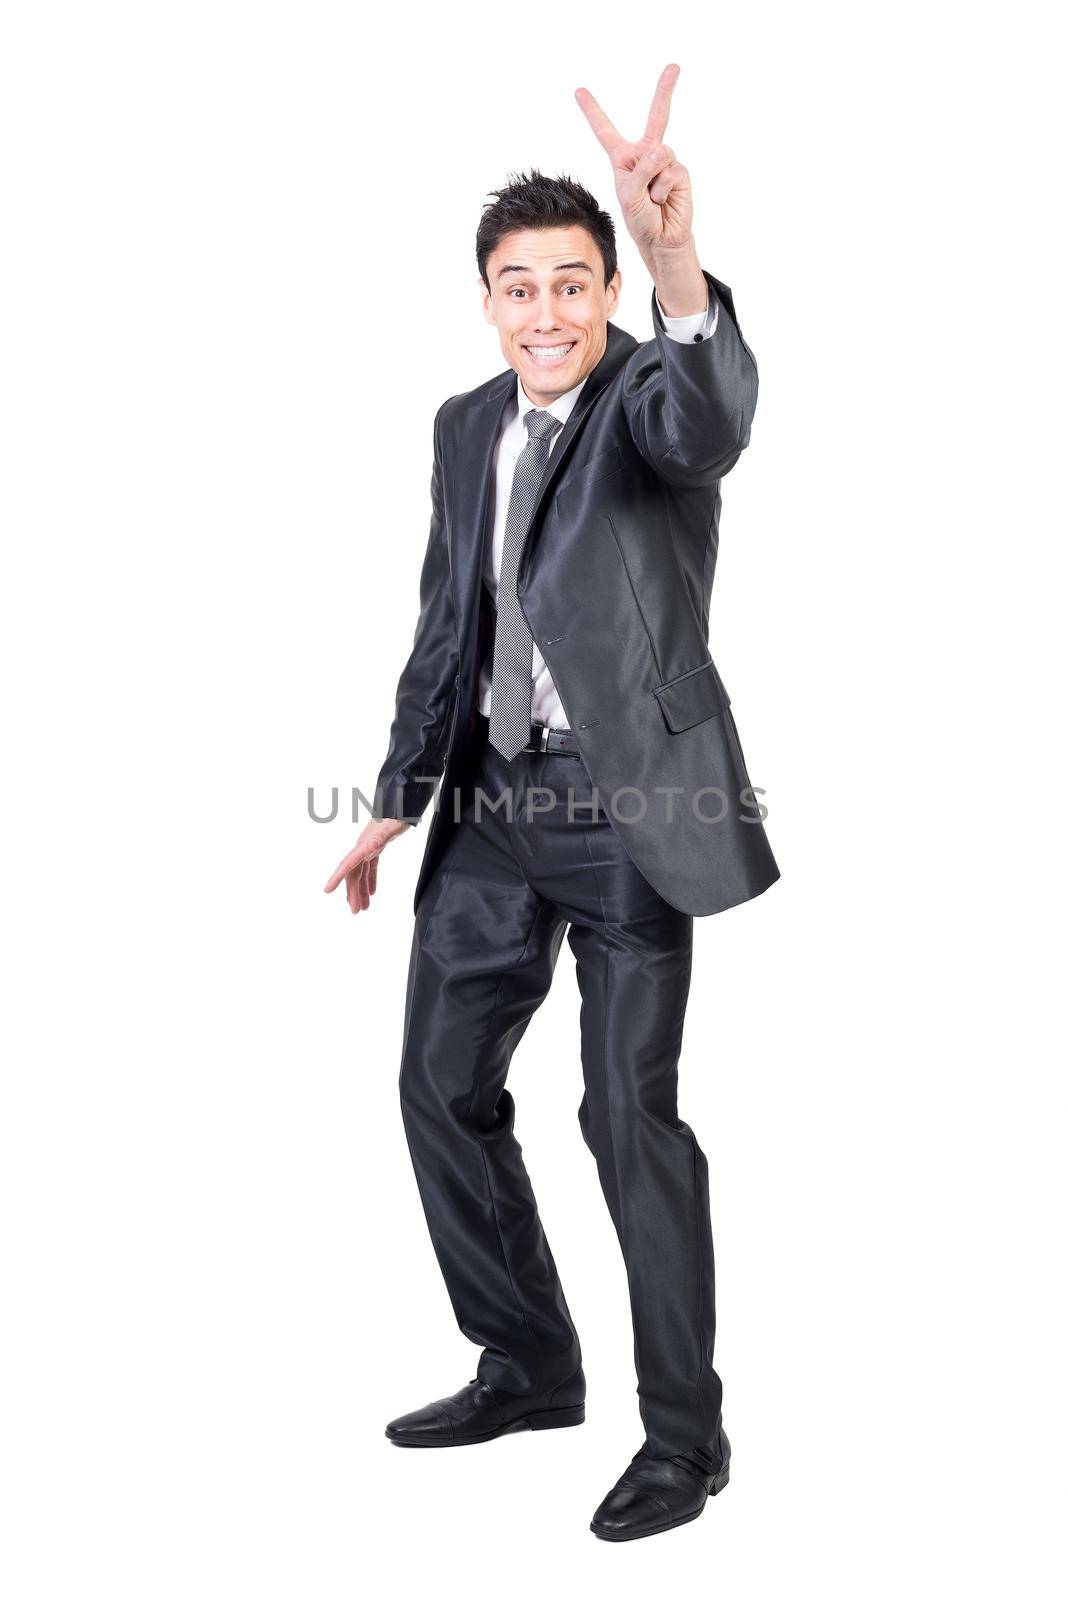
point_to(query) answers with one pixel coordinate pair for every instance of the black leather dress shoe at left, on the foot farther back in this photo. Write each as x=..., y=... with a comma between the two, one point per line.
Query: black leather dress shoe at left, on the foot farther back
x=477, y=1414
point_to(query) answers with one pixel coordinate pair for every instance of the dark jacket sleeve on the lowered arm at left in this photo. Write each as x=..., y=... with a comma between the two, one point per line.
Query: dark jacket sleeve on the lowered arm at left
x=429, y=682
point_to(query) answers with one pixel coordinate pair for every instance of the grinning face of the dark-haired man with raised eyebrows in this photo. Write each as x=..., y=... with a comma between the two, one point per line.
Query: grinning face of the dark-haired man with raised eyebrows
x=551, y=306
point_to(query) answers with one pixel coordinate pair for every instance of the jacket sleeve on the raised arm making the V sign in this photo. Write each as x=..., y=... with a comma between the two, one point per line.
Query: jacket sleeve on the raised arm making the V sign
x=690, y=407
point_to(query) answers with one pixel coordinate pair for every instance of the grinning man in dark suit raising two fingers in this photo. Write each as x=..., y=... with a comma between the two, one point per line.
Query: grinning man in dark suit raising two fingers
x=594, y=785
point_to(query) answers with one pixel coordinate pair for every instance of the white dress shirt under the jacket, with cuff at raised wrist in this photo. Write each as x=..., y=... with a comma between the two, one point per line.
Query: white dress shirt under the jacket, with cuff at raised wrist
x=546, y=706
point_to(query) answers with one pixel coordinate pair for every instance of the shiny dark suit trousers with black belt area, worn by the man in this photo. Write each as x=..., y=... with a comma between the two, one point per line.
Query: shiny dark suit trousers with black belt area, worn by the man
x=488, y=932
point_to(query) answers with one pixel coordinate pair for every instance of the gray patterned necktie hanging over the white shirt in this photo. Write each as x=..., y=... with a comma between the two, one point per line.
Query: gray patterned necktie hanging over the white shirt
x=514, y=647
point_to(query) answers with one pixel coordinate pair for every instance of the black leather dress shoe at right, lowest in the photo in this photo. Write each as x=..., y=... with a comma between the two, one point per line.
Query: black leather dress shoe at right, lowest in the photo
x=663, y=1492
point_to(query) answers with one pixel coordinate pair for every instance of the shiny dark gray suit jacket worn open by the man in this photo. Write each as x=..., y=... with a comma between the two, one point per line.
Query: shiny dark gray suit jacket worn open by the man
x=615, y=583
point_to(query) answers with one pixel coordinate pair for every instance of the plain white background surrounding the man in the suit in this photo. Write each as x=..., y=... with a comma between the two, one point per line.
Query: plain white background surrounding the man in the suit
x=239, y=282
